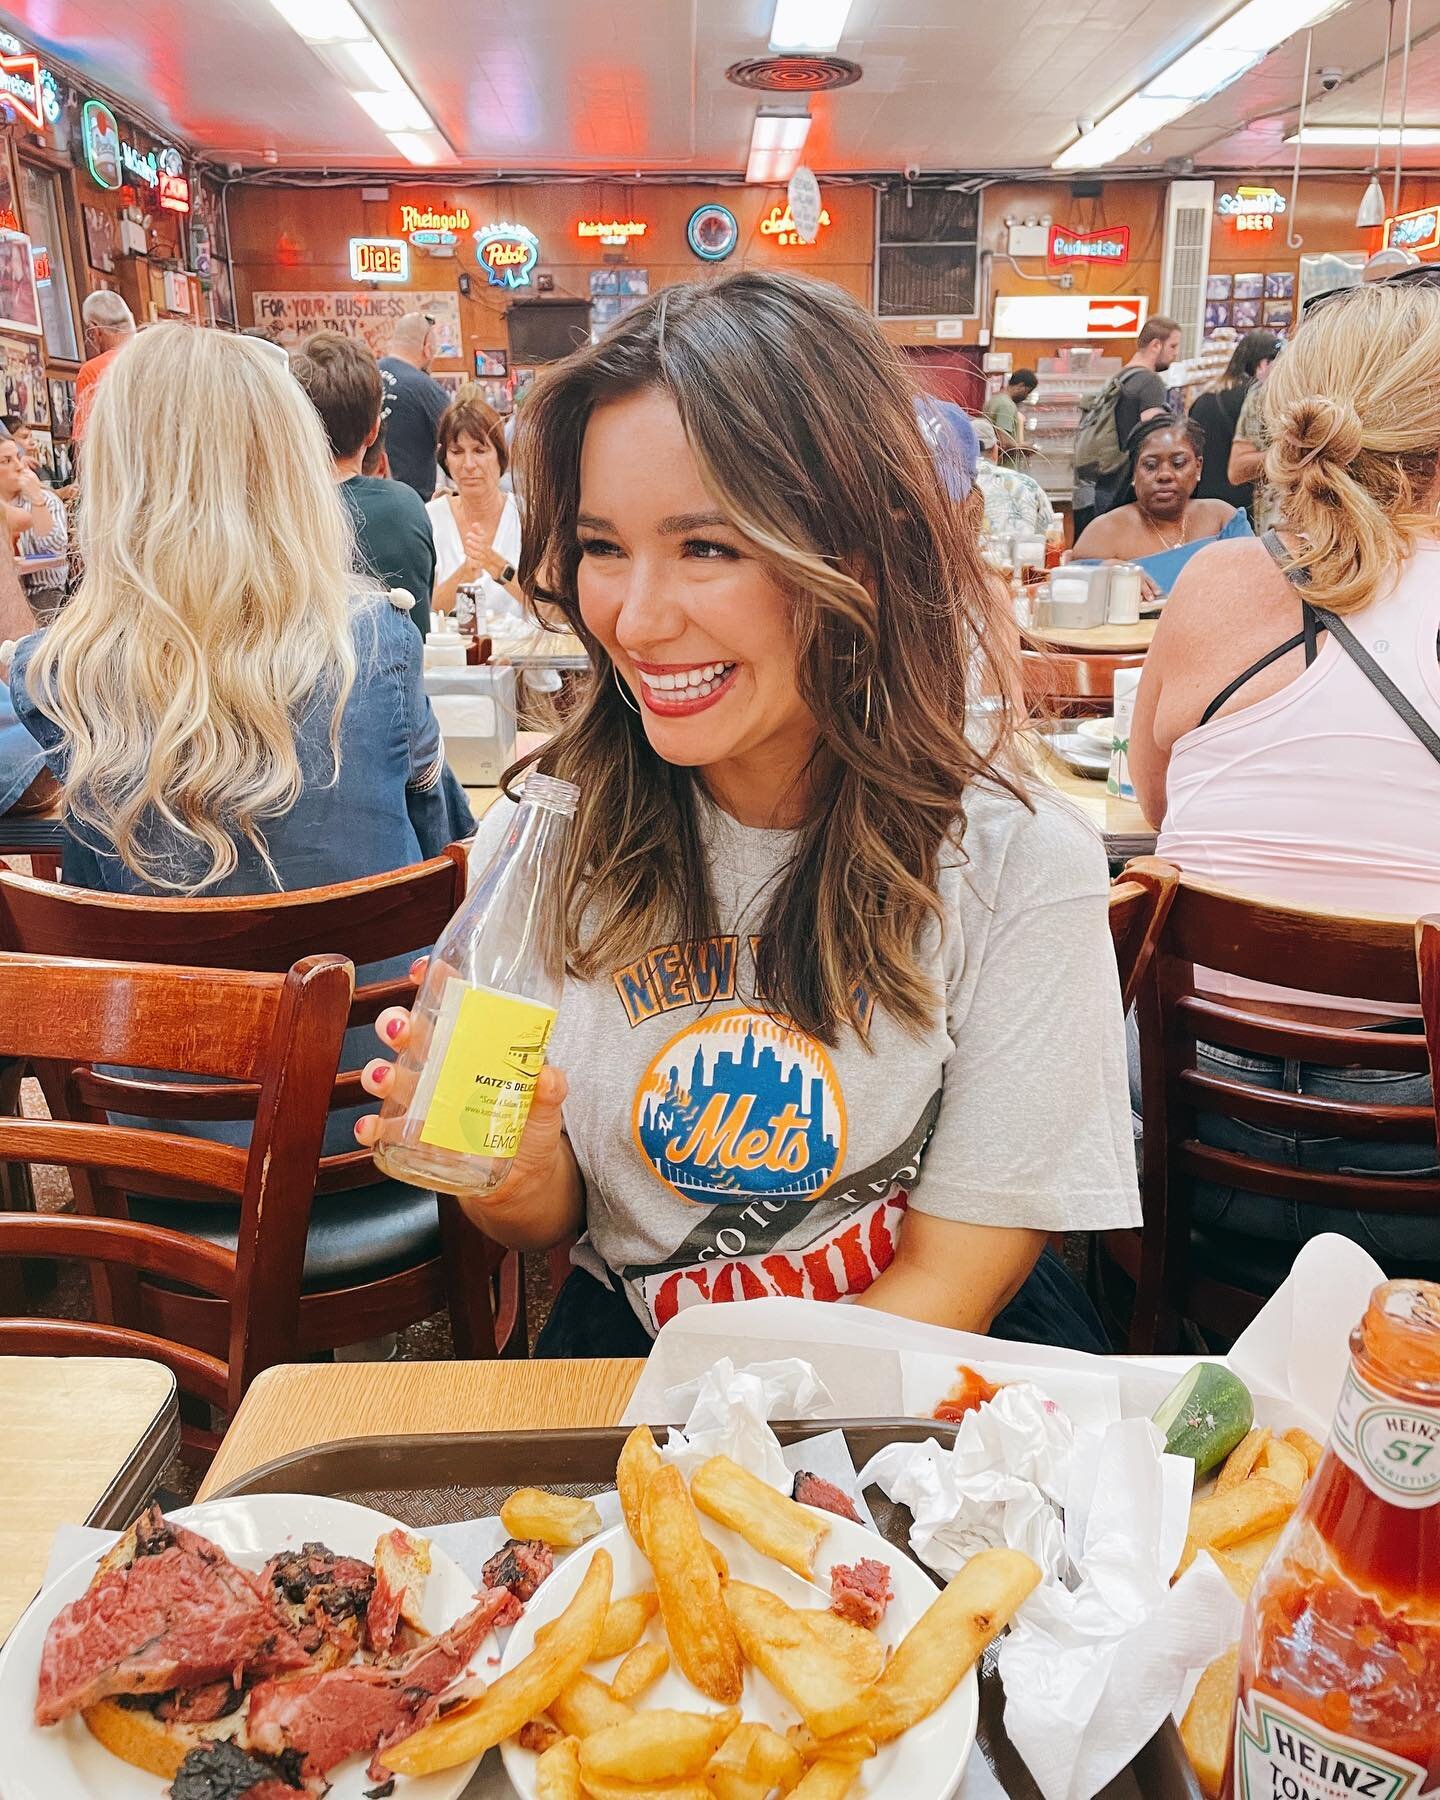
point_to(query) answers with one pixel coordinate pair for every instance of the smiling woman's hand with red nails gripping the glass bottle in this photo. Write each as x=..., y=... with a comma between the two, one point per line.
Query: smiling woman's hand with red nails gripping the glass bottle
x=541, y=1198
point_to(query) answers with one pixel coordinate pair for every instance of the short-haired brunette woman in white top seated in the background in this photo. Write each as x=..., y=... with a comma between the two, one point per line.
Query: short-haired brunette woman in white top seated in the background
x=476, y=530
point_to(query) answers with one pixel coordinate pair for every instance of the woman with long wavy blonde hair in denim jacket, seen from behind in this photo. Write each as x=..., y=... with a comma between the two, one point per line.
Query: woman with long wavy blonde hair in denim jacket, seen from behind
x=228, y=706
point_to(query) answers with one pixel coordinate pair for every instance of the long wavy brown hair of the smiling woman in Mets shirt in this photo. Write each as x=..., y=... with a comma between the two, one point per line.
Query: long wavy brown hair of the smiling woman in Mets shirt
x=802, y=420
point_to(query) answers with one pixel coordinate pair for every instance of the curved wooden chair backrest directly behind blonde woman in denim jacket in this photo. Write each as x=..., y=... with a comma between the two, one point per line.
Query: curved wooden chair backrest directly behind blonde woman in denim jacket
x=368, y=921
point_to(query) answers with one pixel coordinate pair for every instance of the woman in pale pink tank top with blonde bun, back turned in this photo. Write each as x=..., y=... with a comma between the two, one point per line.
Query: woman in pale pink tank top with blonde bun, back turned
x=1286, y=735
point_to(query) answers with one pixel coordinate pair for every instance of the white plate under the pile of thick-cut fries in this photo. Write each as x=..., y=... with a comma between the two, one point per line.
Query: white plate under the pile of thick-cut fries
x=924, y=1765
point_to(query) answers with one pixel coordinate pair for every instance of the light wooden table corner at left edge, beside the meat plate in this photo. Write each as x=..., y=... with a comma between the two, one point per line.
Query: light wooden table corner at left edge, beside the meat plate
x=85, y=1441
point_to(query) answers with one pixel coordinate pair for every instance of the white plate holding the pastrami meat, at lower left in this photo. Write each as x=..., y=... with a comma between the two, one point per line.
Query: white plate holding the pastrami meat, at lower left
x=66, y=1763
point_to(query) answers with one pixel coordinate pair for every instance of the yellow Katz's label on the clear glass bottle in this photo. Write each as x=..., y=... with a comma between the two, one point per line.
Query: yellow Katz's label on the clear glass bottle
x=487, y=1083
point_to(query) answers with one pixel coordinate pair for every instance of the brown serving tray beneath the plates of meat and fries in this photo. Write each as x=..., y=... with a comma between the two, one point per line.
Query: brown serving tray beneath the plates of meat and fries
x=444, y=1479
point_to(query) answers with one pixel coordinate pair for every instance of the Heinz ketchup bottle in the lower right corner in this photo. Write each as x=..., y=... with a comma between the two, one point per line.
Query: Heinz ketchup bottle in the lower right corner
x=1340, y=1653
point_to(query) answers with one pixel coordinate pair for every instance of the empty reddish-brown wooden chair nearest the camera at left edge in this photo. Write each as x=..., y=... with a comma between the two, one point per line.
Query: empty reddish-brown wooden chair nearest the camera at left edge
x=278, y=1036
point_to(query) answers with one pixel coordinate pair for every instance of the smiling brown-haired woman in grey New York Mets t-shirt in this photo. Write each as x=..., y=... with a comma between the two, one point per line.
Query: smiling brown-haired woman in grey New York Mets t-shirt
x=820, y=944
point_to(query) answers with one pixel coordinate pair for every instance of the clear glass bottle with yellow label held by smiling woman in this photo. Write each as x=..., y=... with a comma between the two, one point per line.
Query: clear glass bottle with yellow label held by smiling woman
x=483, y=1016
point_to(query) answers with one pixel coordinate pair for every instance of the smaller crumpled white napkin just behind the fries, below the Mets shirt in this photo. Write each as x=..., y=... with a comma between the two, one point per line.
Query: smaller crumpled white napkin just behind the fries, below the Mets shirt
x=730, y=1408
